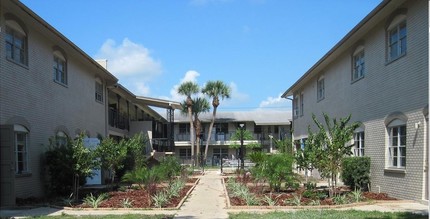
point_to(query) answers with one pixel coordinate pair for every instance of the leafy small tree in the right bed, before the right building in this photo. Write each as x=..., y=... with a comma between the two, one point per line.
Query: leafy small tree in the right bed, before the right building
x=332, y=145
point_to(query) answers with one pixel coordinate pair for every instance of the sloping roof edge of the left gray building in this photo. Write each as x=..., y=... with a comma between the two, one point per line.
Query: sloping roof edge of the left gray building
x=61, y=36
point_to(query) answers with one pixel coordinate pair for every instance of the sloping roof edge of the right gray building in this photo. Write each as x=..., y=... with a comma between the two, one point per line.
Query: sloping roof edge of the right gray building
x=360, y=25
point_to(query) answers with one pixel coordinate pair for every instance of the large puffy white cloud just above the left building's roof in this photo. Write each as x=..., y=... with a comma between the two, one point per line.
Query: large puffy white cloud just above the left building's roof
x=129, y=59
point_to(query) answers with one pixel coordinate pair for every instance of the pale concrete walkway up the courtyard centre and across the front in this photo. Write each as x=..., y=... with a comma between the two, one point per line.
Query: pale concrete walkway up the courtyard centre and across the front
x=208, y=201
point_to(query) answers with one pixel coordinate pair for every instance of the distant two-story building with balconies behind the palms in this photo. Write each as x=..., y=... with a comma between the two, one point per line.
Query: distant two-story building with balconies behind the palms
x=264, y=126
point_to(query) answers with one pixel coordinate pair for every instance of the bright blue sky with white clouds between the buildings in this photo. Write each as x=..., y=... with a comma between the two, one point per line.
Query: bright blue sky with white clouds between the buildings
x=258, y=47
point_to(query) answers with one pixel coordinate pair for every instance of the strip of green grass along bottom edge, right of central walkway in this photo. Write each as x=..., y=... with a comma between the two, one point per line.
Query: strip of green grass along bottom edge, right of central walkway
x=329, y=214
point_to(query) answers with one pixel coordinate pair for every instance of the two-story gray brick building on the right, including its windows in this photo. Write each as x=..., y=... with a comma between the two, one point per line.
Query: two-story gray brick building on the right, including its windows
x=378, y=73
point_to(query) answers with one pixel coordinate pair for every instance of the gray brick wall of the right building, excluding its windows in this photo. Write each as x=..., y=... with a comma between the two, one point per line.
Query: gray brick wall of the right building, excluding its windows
x=401, y=85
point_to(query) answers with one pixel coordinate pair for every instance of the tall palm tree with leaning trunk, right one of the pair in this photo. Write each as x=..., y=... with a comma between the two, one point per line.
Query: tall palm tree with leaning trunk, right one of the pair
x=215, y=89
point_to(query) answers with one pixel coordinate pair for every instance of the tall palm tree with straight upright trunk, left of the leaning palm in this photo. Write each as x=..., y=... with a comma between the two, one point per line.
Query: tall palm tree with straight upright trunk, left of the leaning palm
x=188, y=89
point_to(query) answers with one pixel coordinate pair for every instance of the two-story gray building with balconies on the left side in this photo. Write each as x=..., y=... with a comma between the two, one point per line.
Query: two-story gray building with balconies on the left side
x=50, y=87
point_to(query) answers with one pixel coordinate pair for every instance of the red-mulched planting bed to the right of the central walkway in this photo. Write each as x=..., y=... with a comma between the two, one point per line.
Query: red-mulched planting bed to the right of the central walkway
x=247, y=193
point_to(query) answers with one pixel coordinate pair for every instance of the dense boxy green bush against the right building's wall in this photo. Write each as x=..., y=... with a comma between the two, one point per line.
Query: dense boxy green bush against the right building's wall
x=356, y=172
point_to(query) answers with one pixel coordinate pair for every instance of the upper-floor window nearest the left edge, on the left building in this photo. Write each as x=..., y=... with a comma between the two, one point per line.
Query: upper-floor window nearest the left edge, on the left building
x=16, y=48
